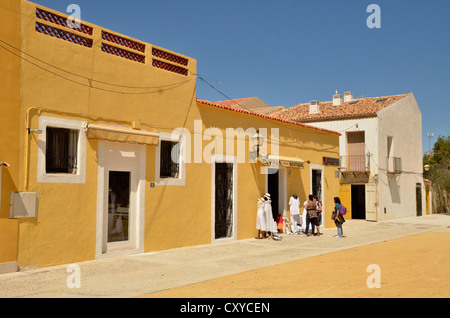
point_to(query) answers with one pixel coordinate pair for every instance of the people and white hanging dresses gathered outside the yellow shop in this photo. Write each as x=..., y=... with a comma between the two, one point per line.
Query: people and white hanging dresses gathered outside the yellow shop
x=299, y=222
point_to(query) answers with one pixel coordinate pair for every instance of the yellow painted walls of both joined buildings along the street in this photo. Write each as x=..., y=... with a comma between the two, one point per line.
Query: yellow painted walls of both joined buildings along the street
x=65, y=228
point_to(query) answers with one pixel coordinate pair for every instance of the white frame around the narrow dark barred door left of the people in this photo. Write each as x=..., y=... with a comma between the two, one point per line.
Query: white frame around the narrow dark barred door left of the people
x=223, y=159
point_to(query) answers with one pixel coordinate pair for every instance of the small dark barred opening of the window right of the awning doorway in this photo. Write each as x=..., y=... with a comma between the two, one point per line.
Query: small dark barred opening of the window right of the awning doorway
x=169, y=159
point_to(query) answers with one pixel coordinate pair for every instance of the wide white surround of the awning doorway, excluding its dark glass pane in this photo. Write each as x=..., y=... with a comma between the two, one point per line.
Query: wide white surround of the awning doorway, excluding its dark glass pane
x=133, y=160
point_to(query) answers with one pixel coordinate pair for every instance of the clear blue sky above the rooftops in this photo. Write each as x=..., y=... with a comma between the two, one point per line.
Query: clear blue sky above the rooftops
x=291, y=51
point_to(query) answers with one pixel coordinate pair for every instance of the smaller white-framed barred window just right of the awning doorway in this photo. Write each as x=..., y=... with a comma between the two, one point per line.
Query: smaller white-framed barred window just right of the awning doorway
x=169, y=163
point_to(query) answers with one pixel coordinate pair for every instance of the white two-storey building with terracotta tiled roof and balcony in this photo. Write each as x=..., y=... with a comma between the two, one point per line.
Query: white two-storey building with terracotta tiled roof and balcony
x=380, y=153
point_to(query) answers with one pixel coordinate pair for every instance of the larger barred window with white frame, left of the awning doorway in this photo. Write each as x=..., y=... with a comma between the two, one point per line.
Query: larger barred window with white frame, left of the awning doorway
x=62, y=150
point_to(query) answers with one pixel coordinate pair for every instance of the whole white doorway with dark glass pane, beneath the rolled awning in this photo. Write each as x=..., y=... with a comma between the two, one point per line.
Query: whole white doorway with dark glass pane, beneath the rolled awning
x=120, y=197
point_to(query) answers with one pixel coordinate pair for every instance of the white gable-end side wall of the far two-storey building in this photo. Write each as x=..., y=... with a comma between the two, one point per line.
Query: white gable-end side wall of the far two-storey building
x=397, y=193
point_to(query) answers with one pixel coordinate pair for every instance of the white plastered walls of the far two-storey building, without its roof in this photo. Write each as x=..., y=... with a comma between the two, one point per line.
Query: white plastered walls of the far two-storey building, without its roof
x=403, y=121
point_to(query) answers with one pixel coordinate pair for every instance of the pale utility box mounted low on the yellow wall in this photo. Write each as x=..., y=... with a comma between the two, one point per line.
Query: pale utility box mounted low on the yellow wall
x=23, y=205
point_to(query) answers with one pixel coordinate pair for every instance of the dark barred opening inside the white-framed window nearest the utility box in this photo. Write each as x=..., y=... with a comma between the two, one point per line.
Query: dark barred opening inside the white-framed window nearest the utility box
x=61, y=150
